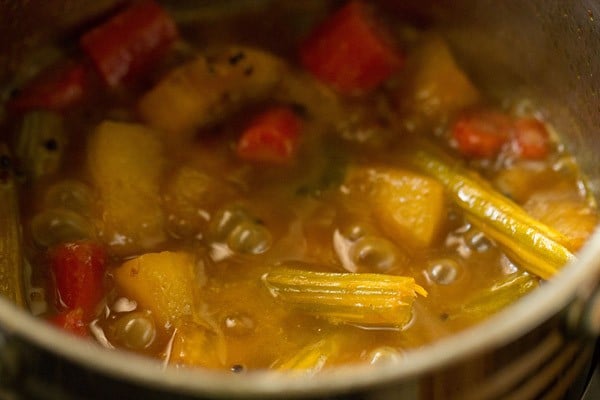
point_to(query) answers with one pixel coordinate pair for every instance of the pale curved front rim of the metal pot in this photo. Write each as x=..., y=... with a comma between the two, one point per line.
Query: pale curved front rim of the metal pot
x=576, y=279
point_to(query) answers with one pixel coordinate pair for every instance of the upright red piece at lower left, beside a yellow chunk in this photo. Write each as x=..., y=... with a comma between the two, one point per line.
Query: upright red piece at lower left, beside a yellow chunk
x=78, y=270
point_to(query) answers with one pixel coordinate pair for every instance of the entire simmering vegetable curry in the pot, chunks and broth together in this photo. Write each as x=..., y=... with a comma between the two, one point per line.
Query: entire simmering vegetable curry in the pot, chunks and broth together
x=291, y=189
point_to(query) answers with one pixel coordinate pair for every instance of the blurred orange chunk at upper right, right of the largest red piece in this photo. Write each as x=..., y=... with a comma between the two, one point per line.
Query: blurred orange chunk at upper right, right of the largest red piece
x=433, y=86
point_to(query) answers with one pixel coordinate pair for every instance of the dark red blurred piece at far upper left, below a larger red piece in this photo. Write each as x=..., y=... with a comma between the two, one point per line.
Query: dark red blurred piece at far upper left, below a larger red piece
x=55, y=89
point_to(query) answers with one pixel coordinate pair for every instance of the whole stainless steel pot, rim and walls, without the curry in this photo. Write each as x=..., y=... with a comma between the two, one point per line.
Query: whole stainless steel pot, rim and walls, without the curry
x=540, y=347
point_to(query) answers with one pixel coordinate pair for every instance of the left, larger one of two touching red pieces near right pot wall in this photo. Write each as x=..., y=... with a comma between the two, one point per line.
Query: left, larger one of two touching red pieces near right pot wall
x=482, y=134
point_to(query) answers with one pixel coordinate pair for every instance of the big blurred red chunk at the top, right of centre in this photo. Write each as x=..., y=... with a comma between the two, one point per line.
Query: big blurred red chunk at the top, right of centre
x=350, y=51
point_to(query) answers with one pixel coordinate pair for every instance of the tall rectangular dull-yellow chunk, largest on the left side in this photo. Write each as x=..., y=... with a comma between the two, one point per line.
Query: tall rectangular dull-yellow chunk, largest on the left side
x=126, y=162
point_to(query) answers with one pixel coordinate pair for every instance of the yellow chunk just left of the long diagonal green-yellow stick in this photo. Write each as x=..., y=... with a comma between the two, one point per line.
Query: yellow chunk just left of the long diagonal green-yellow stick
x=410, y=207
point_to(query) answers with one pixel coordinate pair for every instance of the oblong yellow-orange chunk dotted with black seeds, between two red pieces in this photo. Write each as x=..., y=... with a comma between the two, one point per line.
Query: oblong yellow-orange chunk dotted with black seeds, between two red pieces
x=208, y=88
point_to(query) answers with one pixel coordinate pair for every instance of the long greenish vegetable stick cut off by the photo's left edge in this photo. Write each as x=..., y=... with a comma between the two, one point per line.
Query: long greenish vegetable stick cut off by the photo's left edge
x=10, y=239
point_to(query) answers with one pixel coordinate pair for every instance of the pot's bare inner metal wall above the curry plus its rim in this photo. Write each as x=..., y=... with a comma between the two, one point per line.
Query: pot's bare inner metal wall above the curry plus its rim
x=544, y=50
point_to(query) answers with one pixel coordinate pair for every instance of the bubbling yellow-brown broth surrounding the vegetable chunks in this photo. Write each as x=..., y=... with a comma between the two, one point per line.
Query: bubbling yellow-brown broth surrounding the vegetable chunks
x=308, y=207
